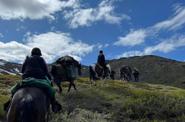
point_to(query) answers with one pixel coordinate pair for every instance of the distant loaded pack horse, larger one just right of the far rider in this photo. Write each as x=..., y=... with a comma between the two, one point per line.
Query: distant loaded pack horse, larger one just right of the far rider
x=126, y=73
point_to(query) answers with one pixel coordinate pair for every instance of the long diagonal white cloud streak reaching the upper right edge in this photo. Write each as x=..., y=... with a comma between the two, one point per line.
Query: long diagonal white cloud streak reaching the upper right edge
x=139, y=36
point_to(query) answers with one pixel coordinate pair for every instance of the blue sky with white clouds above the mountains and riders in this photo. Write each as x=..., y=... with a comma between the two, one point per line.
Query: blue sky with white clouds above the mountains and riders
x=80, y=28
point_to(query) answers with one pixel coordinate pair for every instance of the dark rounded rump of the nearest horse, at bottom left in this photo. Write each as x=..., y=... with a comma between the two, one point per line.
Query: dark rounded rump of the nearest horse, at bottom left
x=29, y=104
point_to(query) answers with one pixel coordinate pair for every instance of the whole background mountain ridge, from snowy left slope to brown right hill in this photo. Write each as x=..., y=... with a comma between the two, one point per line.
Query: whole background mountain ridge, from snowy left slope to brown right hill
x=153, y=69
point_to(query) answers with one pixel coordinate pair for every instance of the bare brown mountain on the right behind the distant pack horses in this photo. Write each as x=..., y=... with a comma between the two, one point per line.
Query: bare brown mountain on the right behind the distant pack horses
x=154, y=69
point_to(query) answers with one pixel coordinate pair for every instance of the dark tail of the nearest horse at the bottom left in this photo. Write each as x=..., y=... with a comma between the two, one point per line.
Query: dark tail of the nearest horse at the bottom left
x=26, y=110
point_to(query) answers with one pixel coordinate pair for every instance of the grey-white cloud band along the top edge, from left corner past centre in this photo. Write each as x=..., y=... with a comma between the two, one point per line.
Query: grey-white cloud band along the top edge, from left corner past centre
x=73, y=11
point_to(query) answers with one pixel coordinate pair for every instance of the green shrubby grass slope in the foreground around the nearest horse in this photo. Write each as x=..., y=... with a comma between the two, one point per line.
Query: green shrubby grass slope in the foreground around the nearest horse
x=114, y=101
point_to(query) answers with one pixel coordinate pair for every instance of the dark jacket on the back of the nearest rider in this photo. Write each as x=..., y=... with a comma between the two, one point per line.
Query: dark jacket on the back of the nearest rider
x=35, y=67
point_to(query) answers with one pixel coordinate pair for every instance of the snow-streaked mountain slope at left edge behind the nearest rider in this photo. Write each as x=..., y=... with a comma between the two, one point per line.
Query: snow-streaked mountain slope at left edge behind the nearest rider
x=9, y=68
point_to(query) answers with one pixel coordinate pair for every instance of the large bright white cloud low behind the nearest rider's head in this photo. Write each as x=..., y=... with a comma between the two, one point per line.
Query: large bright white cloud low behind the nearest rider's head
x=53, y=45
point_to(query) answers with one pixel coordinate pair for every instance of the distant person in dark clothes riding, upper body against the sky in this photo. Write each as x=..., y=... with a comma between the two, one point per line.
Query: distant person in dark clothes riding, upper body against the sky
x=101, y=60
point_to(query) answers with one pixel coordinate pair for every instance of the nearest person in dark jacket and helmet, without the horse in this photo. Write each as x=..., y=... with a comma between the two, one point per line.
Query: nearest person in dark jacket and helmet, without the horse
x=36, y=67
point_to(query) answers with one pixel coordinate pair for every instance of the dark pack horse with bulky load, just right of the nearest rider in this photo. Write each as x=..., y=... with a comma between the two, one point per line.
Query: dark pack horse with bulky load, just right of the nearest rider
x=65, y=69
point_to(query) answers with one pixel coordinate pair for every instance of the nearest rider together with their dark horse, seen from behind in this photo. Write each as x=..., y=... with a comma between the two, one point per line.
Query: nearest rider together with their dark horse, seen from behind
x=31, y=98
